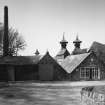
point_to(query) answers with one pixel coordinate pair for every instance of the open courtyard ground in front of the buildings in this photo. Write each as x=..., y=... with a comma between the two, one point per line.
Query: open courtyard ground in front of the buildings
x=44, y=93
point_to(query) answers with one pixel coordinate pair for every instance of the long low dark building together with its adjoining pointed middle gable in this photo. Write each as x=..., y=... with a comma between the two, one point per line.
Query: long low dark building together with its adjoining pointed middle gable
x=27, y=68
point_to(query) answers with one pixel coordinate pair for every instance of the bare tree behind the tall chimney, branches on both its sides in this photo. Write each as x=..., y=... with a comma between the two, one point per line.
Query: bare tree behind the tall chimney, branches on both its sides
x=16, y=42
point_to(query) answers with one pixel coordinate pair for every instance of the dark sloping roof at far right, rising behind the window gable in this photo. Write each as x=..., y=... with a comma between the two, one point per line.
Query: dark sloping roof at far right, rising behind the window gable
x=99, y=49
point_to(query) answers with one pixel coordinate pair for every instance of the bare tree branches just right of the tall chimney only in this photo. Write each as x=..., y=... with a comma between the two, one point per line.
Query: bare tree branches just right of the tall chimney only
x=16, y=42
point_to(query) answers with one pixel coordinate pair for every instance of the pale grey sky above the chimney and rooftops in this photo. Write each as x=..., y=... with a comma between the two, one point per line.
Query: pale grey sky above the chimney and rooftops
x=42, y=22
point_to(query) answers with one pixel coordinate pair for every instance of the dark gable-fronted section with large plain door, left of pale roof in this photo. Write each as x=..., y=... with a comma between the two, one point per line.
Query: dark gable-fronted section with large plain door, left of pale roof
x=49, y=69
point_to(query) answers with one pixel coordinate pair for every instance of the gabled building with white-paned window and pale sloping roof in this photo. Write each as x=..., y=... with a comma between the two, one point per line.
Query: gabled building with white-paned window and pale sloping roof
x=85, y=66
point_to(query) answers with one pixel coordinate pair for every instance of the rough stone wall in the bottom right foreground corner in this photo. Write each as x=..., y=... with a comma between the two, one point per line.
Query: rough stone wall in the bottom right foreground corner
x=92, y=96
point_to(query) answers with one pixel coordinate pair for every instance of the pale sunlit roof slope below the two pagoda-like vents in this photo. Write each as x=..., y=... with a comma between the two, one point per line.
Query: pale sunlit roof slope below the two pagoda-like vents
x=72, y=61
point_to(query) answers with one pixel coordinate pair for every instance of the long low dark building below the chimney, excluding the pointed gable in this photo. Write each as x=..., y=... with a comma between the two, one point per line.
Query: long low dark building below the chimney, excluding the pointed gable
x=18, y=68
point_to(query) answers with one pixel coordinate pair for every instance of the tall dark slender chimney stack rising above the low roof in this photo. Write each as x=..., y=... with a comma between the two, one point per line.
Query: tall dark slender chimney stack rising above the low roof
x=5, y=37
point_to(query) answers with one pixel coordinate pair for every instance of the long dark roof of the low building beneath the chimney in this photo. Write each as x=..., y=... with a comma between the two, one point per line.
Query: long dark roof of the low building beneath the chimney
x=20, y=60
